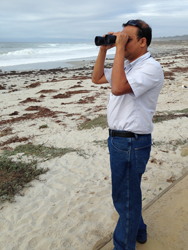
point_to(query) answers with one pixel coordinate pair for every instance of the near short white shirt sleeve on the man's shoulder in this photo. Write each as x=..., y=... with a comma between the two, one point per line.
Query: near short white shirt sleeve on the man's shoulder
x=144, y=78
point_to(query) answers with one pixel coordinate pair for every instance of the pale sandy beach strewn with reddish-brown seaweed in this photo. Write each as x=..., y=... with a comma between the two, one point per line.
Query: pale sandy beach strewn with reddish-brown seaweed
x=71, y=207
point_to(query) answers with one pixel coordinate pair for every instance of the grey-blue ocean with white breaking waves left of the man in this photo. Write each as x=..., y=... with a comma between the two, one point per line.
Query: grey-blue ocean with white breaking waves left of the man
x=29, y=56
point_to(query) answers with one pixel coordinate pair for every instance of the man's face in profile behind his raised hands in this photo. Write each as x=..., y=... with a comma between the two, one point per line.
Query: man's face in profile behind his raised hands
x=133, y=46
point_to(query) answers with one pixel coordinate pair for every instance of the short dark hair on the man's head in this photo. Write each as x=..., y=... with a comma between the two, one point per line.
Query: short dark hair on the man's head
x=147, y=31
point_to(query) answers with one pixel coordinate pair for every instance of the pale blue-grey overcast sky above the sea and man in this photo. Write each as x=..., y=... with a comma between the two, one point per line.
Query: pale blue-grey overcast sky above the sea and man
x=51, y=20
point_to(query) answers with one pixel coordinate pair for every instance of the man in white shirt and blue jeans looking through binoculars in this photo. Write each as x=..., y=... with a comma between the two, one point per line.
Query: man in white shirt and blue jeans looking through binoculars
x=135, y=87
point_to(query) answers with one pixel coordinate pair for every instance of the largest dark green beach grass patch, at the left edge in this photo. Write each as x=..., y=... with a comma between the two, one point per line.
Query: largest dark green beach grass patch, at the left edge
x=17, y=175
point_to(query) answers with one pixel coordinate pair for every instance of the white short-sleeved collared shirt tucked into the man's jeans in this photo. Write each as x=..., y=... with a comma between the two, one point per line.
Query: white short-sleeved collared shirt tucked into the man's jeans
x=134, y=112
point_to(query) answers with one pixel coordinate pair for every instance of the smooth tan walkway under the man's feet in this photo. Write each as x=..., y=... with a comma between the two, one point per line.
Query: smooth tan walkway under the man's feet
x=166, y=218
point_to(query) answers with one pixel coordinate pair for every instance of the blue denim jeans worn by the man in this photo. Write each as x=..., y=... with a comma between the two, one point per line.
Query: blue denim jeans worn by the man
x=128, y=159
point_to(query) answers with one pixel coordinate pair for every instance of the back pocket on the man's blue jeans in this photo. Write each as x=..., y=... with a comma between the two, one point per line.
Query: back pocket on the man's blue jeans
x=142, y=155
